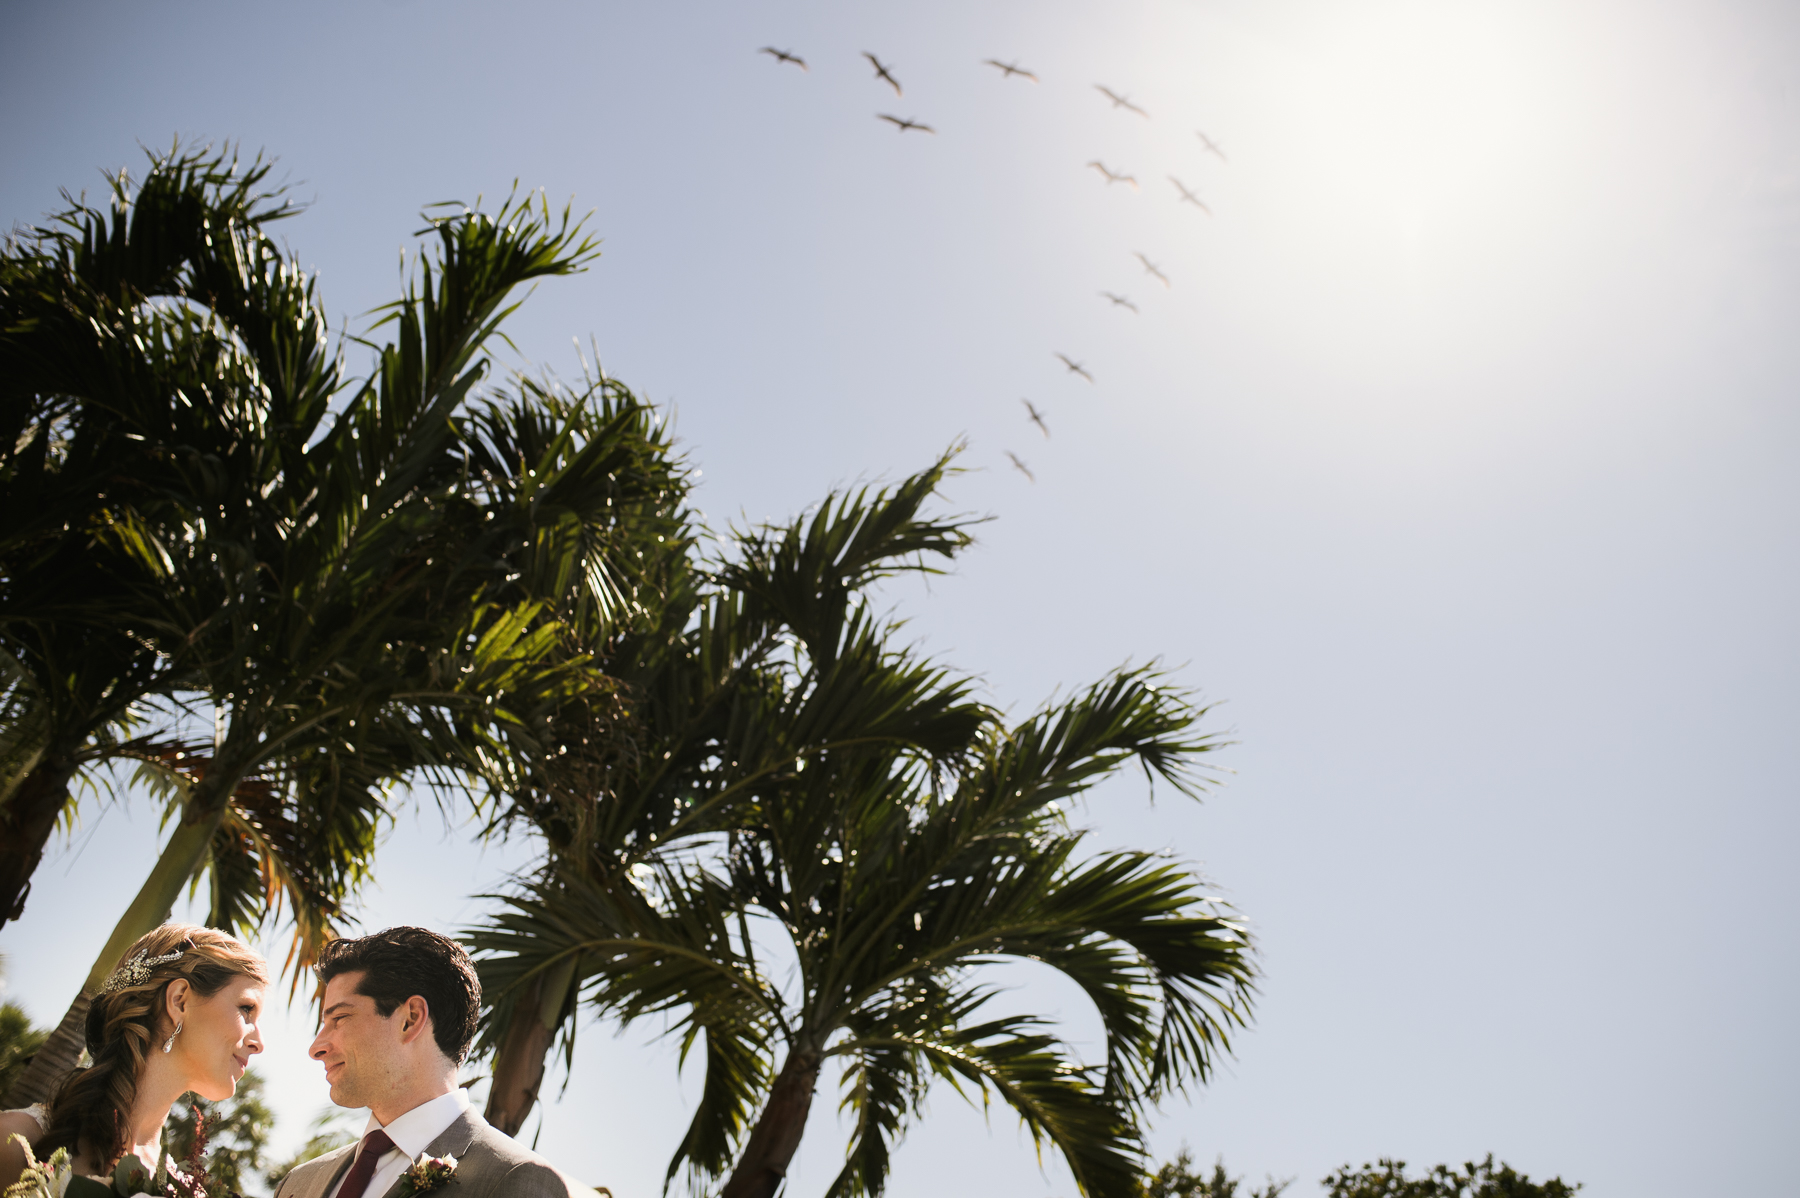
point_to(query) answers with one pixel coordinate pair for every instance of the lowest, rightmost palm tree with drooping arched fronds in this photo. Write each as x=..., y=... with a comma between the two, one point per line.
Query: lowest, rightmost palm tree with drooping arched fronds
x=892, y=875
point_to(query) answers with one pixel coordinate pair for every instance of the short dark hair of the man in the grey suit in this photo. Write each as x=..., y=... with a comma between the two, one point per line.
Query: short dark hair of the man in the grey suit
x=400, y=963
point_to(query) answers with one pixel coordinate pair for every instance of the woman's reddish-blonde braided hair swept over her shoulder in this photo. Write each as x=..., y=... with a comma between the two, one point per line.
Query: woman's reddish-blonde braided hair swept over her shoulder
x=93, y=1107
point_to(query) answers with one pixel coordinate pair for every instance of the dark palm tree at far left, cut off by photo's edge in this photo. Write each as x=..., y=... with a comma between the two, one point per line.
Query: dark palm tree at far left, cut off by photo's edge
x=107, y=375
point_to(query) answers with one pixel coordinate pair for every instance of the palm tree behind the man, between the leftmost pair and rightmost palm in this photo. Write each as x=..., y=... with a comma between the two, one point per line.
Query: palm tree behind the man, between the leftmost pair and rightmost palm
x=721, y=708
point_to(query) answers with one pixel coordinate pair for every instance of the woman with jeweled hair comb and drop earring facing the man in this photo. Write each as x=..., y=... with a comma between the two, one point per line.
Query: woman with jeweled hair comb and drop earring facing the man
x=179, y=1015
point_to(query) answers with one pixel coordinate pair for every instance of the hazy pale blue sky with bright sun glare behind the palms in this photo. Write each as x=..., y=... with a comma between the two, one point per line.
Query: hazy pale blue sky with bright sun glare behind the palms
x=1459, y=460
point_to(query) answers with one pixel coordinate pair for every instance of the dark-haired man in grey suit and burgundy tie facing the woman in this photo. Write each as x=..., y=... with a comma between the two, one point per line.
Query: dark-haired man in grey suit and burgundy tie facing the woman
x=397, y=1023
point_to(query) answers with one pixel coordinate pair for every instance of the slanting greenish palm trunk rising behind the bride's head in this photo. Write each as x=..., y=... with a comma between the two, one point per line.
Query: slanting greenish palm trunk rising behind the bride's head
x=181, y=861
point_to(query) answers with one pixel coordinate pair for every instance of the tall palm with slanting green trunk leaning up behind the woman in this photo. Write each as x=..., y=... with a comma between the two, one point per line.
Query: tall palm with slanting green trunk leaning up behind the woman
x=345, y=593
